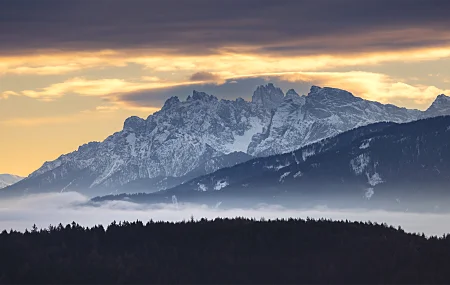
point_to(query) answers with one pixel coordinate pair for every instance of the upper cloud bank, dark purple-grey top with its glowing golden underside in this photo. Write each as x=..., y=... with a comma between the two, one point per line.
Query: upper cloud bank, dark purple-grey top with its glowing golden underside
x=57, y=37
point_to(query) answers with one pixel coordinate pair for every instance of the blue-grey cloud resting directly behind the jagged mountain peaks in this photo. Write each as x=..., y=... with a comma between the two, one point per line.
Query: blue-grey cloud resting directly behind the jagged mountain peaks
x=231, y=90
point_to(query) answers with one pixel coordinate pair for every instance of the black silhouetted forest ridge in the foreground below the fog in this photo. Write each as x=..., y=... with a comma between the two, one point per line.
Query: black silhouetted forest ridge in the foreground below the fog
x=224, y=252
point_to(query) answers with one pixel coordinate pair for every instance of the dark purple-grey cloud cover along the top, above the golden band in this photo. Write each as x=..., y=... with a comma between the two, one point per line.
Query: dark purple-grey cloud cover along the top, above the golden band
x=201, y=26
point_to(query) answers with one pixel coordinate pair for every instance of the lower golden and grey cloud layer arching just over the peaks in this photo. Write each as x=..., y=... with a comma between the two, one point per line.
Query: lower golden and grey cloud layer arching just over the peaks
x=151, y=91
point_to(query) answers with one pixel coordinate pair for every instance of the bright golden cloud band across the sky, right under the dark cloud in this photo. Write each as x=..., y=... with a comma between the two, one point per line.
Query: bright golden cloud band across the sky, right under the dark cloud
x=222, y=63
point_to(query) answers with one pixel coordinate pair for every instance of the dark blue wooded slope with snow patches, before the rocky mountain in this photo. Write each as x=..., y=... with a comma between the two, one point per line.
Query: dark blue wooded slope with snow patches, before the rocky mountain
x=397, y=164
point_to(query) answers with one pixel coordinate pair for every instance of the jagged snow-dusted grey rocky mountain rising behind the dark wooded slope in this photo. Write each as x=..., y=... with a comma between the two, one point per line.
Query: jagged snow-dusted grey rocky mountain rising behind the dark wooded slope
x=202, y=134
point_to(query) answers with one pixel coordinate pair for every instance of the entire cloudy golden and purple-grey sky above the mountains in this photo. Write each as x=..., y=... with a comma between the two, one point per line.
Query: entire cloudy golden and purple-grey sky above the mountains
x=72, y=71
